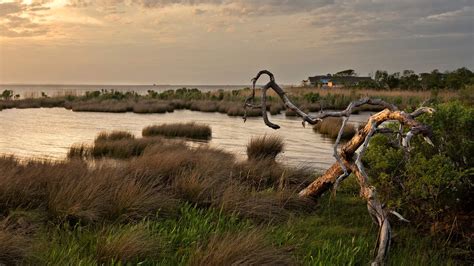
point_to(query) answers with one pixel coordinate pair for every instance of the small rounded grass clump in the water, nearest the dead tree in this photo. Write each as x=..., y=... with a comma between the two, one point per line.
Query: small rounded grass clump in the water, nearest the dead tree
x=265, y=147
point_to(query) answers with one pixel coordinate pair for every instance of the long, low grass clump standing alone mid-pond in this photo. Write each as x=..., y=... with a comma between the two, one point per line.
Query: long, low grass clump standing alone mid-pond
x=183, y=130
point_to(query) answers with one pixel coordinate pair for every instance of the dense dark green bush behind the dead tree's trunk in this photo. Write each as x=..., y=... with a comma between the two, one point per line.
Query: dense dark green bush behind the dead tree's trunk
x=430, y=185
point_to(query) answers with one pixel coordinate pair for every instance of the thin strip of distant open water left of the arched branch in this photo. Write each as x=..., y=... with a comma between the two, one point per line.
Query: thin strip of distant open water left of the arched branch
x=34, y=91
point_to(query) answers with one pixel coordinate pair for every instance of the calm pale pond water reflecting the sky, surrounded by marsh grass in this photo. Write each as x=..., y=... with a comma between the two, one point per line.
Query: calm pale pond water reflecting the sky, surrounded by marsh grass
x=49, y=132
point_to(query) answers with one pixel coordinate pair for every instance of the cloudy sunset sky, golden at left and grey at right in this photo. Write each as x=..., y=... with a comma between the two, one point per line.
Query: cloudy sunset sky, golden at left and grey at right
x=225, y=41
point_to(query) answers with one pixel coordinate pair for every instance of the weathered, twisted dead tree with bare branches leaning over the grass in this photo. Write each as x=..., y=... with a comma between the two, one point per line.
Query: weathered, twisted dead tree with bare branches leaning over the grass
x=350, y=154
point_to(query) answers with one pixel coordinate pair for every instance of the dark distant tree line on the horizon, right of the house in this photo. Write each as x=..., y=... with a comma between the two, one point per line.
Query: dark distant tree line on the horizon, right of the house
x=409, y=80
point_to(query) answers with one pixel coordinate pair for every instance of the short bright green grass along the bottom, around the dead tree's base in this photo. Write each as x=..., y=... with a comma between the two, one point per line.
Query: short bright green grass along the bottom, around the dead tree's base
x=340, y=232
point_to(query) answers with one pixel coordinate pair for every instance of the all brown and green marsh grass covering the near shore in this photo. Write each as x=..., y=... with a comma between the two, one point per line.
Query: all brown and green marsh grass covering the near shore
x=166, y=203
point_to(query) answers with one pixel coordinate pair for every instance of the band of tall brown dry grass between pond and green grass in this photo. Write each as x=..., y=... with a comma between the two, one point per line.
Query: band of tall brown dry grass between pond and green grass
x=152, y=181
